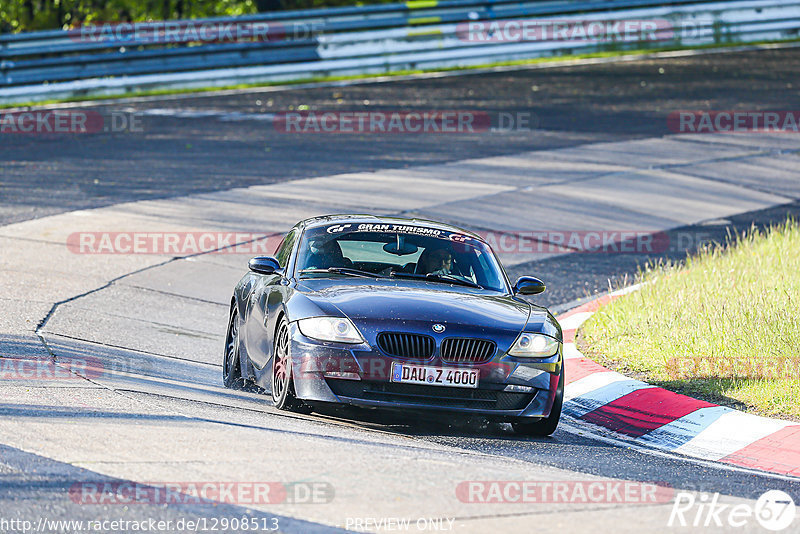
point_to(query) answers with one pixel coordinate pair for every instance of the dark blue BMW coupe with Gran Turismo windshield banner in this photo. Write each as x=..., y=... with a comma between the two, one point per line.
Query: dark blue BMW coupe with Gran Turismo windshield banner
x=395, y=313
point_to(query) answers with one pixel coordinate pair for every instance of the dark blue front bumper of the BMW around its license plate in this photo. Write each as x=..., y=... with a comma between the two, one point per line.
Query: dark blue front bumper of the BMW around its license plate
x=358, y=375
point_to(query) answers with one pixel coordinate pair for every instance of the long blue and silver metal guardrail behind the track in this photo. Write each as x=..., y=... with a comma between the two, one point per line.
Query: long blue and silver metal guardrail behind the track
x=308, y=44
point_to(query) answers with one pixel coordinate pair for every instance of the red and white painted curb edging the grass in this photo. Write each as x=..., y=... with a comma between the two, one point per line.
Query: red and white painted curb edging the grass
x=633, y=411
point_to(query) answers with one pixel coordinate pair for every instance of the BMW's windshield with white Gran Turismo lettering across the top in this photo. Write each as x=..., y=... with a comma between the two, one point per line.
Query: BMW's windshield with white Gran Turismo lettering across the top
x=400, y=251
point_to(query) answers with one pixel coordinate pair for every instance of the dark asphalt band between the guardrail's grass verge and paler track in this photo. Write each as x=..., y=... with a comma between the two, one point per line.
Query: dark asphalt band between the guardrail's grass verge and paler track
x=176, y=155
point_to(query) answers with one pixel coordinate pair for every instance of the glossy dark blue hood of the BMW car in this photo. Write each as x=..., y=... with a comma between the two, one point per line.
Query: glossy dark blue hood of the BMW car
x=414, y=305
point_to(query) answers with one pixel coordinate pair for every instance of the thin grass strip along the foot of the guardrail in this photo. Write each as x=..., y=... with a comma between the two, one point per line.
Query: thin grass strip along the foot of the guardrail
x=520, y=62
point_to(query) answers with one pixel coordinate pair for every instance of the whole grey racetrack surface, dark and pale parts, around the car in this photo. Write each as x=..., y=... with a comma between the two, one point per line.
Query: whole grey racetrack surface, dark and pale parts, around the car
x=152, y=410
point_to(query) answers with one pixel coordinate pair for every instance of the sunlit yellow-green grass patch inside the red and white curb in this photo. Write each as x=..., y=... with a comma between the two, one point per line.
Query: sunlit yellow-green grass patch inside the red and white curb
x=723, y=326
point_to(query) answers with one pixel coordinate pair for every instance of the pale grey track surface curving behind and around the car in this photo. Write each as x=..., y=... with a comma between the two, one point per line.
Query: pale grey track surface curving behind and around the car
x=151, y=325
